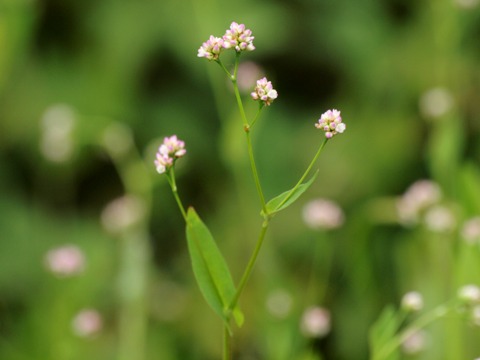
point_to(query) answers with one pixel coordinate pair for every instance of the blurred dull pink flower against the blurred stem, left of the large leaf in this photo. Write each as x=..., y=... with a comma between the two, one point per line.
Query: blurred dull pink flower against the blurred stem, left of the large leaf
x=122, y=213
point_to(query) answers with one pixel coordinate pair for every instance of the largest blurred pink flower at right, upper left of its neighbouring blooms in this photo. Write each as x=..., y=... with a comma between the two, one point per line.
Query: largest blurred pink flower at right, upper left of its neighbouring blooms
x=419, y=196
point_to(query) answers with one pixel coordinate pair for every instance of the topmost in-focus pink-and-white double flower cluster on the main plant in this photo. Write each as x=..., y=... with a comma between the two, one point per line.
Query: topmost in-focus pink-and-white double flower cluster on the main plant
x=237, y=37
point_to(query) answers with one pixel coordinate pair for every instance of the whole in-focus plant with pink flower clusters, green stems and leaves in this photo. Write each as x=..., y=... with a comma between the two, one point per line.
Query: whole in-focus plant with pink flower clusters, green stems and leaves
x=209, y=266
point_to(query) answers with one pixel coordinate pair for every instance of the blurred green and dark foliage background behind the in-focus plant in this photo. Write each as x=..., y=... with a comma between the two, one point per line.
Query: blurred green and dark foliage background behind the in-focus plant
x=88, y=89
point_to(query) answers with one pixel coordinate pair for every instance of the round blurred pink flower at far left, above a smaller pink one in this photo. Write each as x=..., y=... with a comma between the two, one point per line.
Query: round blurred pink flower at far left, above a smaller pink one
x=65, y=261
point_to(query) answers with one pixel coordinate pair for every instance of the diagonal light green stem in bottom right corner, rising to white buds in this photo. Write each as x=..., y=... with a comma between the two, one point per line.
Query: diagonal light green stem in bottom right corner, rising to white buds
x=417, y=325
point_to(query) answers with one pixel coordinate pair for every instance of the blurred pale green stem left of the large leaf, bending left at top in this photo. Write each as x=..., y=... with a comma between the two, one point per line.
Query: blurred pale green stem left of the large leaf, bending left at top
x=134, y=264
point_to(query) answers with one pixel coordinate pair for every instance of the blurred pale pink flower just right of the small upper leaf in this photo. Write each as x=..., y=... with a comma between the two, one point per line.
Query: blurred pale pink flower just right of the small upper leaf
x=323, y=214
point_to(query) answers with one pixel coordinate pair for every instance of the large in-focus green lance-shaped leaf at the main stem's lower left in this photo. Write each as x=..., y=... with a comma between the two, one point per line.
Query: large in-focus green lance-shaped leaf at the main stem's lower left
x=210, y=269
